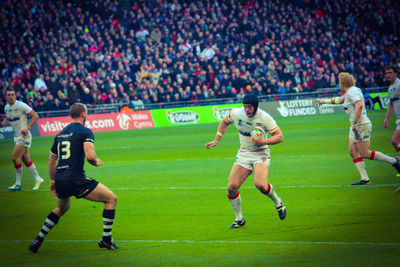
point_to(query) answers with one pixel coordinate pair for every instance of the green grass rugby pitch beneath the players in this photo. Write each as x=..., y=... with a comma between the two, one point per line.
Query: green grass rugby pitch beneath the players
x=172, y=207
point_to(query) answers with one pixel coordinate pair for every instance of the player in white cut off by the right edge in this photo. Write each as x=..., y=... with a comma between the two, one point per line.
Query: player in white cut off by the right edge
x=394, y=105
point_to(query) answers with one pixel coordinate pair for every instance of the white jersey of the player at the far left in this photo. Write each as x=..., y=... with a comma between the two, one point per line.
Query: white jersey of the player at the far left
x=17, y=116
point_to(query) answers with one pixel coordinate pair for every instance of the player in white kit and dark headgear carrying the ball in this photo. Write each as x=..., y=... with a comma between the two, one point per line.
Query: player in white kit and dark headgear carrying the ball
x=253, y=155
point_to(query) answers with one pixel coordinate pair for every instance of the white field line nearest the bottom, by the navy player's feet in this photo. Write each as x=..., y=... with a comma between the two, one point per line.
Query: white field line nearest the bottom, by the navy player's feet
x=228, y=242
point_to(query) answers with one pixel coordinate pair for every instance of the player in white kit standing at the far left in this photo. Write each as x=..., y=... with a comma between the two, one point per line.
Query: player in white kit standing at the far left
x=16, y=115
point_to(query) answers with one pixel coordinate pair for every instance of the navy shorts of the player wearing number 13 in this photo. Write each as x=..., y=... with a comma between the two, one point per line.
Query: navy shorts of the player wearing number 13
x=76, y=188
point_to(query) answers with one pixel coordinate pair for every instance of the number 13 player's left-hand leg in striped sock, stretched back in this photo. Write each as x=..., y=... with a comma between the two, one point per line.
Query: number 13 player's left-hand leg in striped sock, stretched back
x=63, y=205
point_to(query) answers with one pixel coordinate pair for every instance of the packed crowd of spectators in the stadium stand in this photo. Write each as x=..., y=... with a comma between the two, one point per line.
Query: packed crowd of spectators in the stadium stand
x=55, y=53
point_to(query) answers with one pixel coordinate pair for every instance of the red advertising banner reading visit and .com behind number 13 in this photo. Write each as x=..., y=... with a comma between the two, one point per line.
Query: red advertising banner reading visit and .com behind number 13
x=100, y=122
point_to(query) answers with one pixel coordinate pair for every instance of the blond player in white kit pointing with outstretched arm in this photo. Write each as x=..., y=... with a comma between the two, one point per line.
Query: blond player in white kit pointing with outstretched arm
x=360, y=127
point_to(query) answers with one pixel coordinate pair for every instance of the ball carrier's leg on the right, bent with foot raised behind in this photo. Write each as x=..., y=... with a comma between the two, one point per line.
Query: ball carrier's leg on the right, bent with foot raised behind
x=261, y=182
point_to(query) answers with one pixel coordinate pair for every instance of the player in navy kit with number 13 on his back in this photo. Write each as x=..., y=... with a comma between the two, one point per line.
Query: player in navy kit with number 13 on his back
x=70, y=147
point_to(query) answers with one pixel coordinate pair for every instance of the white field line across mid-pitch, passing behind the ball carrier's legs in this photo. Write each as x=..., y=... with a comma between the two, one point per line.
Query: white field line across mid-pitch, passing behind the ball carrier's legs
x=224, y=188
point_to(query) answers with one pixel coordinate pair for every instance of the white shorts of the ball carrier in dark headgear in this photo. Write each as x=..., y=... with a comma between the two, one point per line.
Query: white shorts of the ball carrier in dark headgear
x=248, y=159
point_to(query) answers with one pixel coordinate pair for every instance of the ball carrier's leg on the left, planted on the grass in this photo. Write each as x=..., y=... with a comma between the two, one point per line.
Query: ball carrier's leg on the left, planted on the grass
x=237, y=176
